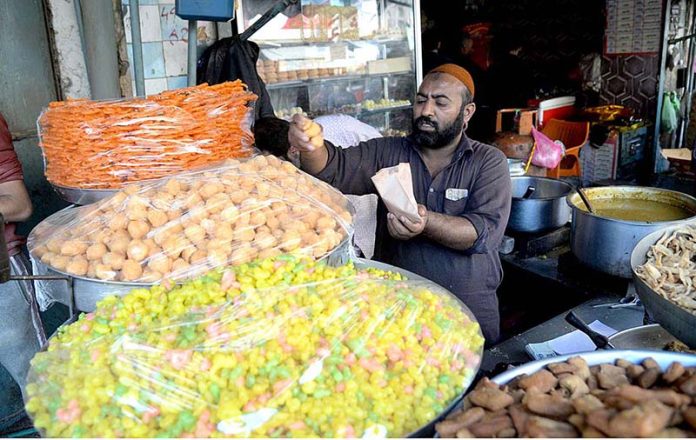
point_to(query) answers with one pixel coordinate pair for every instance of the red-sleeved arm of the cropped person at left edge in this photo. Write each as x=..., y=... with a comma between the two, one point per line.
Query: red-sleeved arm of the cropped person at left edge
x=15, y=204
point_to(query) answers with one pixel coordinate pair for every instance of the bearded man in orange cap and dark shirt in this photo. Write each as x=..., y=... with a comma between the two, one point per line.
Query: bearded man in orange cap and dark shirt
x=462, y=187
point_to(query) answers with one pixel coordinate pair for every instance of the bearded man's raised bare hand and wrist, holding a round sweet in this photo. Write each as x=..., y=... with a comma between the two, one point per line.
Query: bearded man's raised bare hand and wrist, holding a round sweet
x=308, y=138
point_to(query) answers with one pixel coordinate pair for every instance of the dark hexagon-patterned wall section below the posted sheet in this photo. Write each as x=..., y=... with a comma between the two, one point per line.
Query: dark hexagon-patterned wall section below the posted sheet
x=631, y=81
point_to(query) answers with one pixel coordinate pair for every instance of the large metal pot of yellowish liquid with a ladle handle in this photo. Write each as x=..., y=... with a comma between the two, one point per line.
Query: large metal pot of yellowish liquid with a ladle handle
x=605, y=244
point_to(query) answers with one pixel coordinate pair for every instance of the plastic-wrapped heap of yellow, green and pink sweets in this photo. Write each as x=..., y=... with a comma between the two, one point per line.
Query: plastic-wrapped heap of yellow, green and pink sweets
x=283, y=347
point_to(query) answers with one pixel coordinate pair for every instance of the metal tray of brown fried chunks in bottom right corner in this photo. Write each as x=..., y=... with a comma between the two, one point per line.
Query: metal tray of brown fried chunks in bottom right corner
x=613, y=393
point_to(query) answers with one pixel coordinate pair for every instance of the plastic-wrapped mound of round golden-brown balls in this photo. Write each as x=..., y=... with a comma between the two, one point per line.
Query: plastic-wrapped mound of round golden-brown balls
x=183, y=226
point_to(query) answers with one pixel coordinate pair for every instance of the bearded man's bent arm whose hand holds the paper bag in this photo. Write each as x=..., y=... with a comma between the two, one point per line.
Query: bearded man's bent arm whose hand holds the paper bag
x=483, y=222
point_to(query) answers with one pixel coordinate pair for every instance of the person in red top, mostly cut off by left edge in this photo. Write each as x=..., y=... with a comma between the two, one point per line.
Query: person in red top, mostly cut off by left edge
x=21, y=331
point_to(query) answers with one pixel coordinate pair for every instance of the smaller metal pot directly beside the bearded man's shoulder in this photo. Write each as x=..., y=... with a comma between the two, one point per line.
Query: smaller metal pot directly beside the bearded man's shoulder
x=544, y=209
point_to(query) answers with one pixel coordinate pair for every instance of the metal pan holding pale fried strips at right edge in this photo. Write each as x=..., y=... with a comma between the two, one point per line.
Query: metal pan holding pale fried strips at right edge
x=673, y=318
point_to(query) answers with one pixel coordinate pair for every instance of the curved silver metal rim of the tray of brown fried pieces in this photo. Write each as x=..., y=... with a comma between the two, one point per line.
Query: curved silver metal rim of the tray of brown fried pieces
x=663, y=358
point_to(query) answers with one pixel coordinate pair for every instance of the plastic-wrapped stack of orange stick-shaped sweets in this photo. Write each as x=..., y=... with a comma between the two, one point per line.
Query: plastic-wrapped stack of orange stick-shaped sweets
x=106, y=144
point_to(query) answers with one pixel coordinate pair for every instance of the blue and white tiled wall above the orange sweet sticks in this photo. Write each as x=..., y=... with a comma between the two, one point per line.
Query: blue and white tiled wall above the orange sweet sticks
x=165, y=40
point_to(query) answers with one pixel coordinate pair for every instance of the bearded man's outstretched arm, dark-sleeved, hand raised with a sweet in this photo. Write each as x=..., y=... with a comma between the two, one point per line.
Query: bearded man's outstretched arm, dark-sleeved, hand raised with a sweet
x=349, y=170
